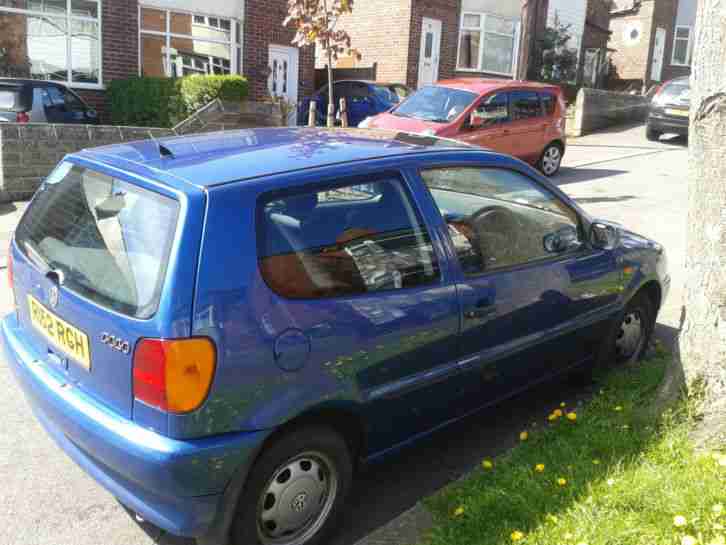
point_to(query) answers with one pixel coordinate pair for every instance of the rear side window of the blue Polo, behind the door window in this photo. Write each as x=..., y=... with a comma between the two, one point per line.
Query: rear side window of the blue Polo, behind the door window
x=346, y=240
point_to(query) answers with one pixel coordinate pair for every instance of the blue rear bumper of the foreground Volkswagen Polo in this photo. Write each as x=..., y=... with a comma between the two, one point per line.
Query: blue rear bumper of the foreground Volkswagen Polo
x=177, y=485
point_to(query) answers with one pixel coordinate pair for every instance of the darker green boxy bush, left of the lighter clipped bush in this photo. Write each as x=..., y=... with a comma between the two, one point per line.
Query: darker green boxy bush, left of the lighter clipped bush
x=145, y=102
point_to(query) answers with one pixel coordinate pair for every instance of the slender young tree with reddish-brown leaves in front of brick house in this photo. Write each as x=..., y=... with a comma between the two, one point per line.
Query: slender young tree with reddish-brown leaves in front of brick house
x=314, y=22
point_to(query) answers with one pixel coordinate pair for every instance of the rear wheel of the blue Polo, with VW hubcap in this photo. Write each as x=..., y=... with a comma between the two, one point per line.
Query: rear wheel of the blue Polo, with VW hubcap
x=296, y=490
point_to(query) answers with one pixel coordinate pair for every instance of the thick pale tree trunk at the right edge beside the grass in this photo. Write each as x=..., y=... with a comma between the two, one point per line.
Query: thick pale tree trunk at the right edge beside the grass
x=703, y=335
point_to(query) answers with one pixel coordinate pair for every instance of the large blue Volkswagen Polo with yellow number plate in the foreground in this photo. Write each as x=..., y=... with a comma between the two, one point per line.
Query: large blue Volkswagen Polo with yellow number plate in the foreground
x=222, y=329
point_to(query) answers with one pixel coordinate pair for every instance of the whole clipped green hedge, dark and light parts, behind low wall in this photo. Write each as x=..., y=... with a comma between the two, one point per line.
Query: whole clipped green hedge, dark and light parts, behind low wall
x=163, y=102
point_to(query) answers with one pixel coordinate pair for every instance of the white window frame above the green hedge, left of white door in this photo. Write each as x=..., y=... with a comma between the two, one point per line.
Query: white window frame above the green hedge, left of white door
x=235, y=42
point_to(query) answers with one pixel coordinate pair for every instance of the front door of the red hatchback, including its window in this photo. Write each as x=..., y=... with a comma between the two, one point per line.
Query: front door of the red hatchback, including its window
x=493, y=131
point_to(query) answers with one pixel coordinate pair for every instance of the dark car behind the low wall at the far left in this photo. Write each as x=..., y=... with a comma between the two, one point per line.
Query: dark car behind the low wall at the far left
x=34, y=101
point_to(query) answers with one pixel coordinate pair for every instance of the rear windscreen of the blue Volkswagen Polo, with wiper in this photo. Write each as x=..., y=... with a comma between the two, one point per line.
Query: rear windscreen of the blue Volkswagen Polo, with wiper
x=109, y=240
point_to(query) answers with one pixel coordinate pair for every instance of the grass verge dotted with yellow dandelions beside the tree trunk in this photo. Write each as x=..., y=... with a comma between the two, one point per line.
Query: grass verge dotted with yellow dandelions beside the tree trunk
x=600, y=475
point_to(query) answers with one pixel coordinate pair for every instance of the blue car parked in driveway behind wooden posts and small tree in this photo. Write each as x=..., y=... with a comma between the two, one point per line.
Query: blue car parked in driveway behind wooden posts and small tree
x=363, y=99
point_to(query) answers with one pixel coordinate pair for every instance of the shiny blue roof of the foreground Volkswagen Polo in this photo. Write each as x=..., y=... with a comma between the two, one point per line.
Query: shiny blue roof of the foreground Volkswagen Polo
x=207, y=160
